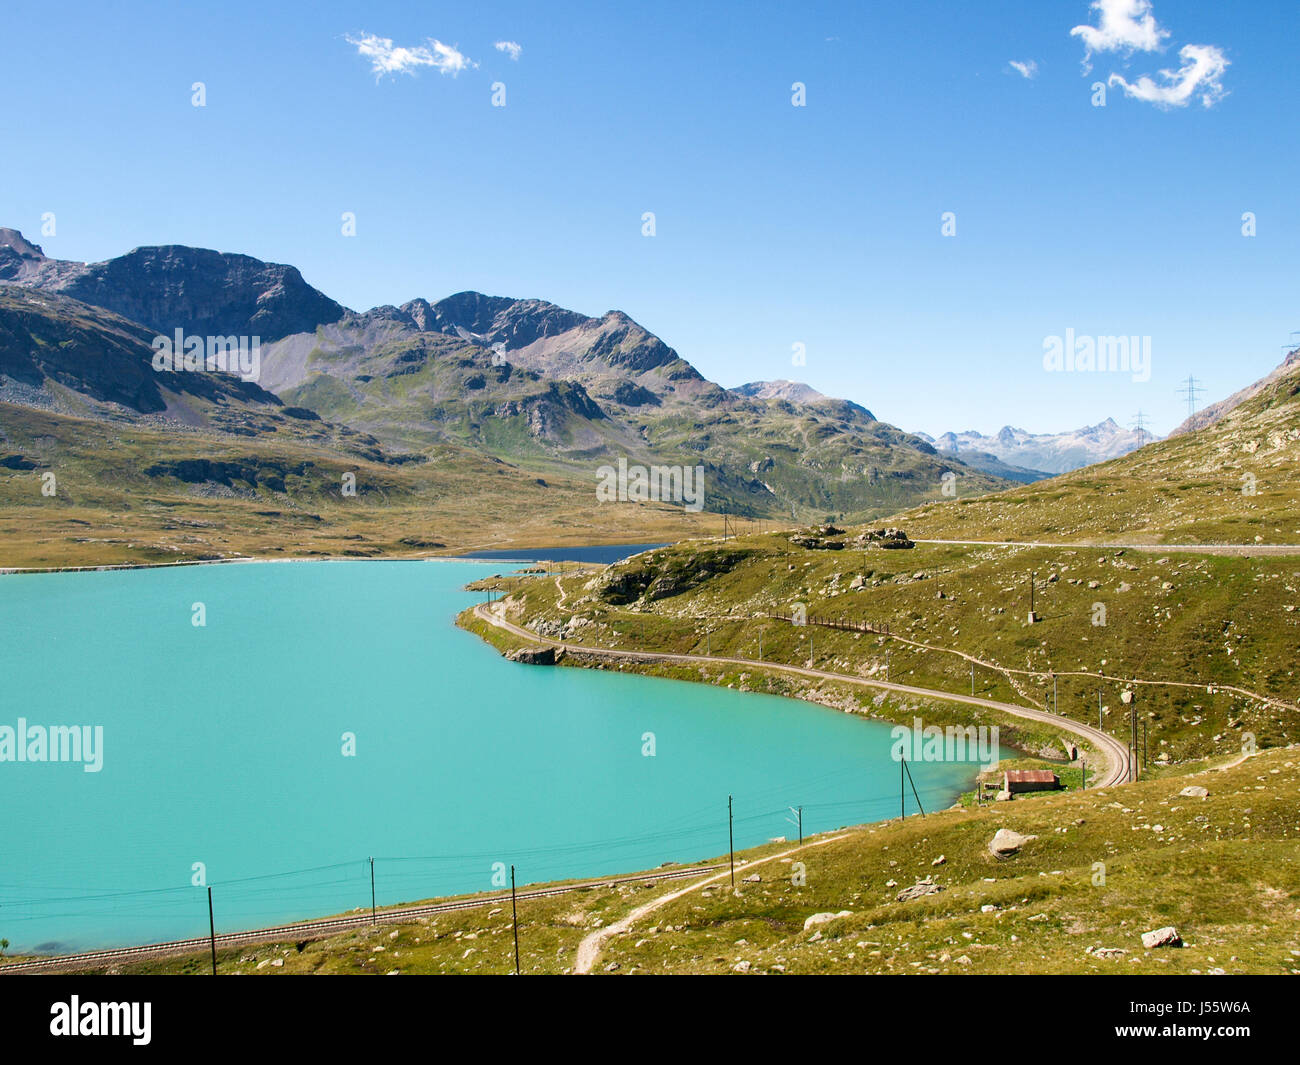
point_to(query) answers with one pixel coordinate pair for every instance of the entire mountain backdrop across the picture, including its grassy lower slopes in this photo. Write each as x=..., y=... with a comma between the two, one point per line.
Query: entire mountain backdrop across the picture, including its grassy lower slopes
x=479, y=412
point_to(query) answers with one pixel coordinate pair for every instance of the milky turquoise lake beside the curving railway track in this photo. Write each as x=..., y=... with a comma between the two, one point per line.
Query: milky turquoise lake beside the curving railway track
x=224, y=744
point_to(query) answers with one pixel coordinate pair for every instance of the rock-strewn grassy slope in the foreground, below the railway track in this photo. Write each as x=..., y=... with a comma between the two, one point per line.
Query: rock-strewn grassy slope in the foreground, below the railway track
x=1103, y=869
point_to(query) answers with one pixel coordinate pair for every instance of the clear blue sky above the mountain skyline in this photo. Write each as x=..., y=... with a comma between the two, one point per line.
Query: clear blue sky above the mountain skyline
x=774, y=224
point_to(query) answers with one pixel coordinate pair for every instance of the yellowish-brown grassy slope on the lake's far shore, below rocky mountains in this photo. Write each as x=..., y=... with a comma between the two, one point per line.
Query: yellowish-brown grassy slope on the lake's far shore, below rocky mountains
x=135, y=495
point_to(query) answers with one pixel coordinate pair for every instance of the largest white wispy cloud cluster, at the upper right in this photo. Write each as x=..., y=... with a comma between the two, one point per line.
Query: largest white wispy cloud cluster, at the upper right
x=1129, y=27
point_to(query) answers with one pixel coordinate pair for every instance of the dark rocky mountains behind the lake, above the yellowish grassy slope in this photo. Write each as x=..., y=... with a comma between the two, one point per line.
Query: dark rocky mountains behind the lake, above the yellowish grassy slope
x=525, y=382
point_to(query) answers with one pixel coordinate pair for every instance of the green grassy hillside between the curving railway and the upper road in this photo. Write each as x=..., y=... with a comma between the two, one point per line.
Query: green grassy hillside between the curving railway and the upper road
x=1214, y=629
